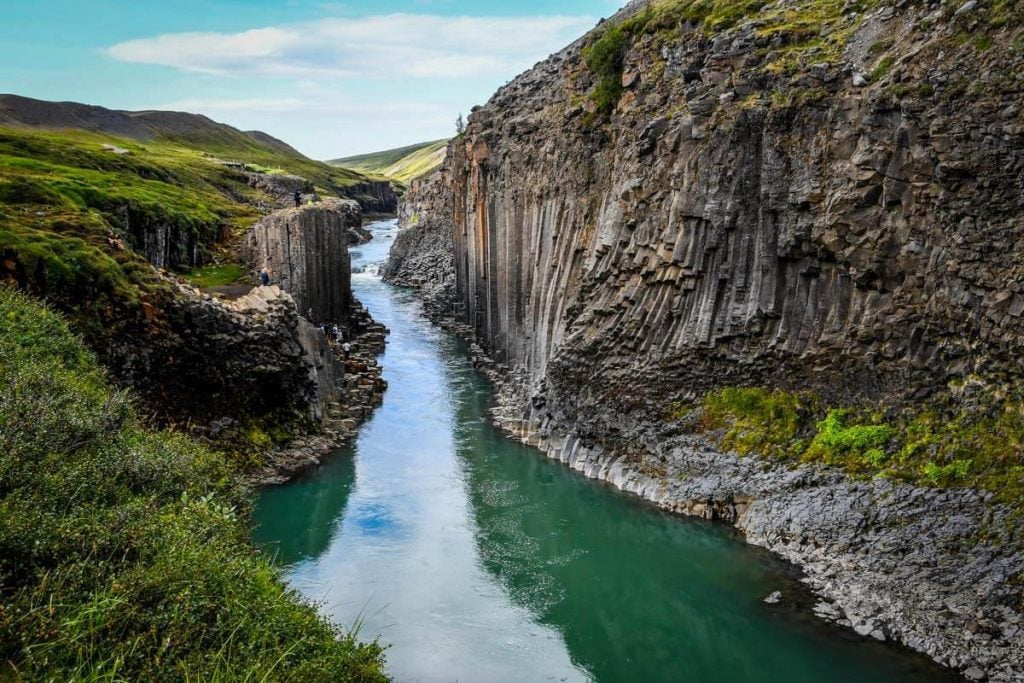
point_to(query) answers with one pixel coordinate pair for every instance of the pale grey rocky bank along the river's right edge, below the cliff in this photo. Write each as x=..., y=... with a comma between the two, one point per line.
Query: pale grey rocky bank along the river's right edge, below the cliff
x=932, y=570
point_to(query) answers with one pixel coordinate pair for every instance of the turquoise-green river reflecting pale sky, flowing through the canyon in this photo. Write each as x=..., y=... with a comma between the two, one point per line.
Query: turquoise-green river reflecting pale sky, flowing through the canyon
x=475, y=559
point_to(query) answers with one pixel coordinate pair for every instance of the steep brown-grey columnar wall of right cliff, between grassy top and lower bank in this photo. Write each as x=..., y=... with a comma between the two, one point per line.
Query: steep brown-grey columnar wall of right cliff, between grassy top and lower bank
x=862, y=242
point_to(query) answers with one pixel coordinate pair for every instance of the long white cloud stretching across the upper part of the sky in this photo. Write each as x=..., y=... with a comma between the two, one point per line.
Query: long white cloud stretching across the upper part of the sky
x=394, y=46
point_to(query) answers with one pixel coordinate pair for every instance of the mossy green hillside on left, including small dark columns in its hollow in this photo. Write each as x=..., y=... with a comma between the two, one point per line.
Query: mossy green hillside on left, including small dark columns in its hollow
x=79, y=212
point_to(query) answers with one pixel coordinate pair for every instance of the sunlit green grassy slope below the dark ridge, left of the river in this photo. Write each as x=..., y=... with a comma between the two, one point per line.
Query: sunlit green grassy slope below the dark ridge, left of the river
x=62, y=194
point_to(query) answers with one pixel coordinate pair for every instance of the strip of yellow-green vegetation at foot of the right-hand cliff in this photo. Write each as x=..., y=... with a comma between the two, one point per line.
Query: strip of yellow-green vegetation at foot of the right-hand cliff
x=937, y=445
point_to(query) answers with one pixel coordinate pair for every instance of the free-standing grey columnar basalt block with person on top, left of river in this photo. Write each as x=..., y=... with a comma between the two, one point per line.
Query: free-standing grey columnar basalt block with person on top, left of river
x=307, y=252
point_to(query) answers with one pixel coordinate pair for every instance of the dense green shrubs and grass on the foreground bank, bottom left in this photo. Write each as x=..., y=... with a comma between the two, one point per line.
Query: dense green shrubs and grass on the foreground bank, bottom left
x=124, y=556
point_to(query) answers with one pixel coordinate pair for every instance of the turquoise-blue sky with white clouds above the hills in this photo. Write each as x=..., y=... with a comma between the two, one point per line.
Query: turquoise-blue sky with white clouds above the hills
x=332, y=79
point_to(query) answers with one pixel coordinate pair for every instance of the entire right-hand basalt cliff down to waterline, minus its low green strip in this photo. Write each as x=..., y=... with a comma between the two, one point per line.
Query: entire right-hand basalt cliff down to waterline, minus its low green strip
x=753, y=207
